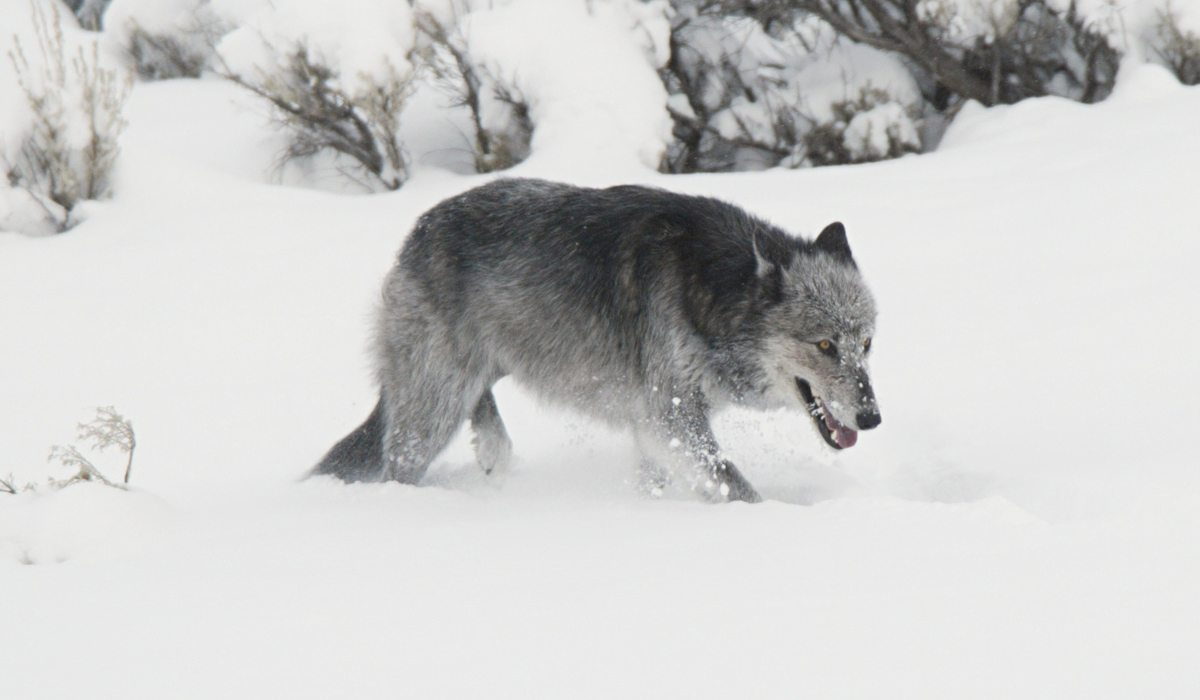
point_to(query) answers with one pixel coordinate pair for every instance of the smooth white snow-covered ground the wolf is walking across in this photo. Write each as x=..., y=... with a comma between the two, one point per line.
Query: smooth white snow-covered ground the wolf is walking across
x=1025, y=524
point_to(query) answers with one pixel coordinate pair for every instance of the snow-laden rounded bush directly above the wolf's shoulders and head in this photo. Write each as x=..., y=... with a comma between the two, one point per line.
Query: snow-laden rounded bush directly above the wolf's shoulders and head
x=752, y=92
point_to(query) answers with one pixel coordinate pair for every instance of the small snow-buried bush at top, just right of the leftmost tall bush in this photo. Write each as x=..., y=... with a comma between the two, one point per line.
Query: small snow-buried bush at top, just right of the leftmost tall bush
x=166, y=39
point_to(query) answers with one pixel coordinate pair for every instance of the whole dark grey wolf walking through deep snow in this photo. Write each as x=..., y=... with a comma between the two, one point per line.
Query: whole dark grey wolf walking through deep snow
x=639, y=307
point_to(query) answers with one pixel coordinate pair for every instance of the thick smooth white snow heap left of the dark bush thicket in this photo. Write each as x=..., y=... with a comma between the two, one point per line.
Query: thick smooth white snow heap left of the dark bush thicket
x=601, y=98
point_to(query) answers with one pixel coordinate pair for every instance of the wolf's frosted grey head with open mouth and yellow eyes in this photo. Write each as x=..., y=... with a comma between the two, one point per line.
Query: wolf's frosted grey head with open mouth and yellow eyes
x=819, y=336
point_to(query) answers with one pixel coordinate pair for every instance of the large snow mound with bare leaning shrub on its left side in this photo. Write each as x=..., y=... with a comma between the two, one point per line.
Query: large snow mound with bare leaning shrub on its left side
x=571, y=77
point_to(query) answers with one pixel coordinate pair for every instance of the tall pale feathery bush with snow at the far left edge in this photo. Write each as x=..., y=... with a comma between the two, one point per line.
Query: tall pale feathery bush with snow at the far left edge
x=70, y=149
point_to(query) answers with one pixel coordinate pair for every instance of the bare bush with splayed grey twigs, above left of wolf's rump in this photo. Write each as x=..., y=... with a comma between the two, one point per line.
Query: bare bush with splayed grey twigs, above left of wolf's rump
x=310, y=101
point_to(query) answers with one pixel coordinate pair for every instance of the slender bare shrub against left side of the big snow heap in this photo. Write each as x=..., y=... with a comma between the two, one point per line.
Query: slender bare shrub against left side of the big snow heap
x=502, y=139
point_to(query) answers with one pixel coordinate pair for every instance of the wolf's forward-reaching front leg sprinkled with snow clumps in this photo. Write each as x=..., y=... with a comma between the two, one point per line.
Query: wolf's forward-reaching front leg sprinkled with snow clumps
x=681, y=438
